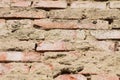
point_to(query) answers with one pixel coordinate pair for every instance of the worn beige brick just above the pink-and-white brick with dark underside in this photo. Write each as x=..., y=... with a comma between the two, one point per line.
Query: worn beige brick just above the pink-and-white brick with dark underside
x=69, y=35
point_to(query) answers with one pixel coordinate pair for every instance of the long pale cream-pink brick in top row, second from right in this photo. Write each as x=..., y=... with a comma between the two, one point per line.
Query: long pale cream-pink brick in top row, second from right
x=88, y=5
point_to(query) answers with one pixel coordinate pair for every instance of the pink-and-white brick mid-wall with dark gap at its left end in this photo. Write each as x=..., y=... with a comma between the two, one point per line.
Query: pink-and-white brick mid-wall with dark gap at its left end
x=53, y=46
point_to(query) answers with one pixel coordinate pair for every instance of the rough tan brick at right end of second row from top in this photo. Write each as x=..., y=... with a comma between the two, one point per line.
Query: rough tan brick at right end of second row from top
x=102, y=14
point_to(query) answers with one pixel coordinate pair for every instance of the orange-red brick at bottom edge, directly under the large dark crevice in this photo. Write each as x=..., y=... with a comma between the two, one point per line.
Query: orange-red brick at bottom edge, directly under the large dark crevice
x=71, y=77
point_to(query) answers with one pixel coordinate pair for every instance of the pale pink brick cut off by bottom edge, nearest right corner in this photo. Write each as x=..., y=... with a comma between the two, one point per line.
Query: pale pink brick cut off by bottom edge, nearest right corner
x=104, y=77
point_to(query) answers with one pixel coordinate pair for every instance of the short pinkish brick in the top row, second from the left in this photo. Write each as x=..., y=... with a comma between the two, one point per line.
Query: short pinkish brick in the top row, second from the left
x=17, y=3
